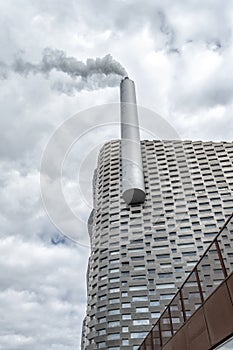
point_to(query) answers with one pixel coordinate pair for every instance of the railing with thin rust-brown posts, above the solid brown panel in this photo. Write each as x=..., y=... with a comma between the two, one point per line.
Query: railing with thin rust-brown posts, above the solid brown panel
x=213, y=268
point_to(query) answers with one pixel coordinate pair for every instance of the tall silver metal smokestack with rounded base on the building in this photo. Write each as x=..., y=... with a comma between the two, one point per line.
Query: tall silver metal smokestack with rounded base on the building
x=133, y=188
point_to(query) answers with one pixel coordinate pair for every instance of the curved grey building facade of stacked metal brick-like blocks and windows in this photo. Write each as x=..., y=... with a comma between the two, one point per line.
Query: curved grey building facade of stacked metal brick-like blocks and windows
x=141, y=253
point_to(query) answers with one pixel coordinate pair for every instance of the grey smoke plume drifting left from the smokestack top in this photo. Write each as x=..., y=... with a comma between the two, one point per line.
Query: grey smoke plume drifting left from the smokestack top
x=94, y=74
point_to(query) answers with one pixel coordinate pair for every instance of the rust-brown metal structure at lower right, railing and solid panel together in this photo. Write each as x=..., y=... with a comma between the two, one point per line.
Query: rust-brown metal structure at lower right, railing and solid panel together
x=200, y=315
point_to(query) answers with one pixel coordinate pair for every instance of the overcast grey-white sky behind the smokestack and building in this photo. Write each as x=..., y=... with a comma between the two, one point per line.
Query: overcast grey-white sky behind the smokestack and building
x=180, y=55
